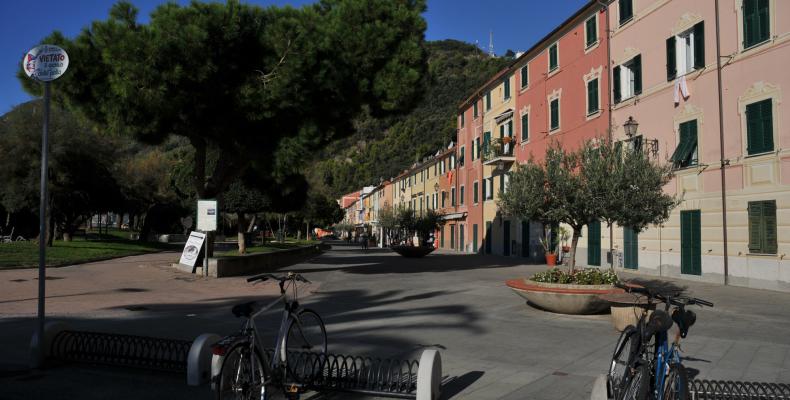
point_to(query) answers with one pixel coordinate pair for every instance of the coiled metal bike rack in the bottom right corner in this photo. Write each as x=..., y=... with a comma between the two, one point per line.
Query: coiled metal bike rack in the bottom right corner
x=726, y=390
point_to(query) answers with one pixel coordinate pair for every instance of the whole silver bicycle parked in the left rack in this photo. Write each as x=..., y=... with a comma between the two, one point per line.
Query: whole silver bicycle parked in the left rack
x=246, y=372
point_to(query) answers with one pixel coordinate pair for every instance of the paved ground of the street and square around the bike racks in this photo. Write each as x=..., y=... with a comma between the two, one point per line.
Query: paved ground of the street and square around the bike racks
x=493, y=345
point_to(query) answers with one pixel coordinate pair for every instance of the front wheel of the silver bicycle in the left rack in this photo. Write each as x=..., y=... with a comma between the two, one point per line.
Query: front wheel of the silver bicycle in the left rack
x=307, y=335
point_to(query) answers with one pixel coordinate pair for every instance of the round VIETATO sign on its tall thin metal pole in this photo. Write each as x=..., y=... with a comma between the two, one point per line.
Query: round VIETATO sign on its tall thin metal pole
x=43, y=63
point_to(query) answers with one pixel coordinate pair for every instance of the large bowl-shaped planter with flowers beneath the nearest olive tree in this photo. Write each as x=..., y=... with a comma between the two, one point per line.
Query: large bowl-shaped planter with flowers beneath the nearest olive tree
x=564, y=299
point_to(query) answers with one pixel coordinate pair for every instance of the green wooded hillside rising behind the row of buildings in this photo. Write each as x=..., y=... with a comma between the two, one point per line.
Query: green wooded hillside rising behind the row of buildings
x=381, y=148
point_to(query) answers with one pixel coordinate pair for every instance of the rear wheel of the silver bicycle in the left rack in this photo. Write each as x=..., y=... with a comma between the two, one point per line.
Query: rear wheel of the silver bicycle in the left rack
x=236, y=377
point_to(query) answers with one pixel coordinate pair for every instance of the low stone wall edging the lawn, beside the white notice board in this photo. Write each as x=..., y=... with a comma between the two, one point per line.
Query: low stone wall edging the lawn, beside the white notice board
x=260, y=263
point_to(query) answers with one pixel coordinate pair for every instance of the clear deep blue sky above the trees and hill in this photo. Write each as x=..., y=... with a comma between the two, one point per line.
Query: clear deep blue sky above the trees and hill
x=516, y=25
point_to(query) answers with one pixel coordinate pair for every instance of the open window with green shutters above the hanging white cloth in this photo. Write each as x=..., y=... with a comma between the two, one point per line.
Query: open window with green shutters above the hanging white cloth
x=686, y=51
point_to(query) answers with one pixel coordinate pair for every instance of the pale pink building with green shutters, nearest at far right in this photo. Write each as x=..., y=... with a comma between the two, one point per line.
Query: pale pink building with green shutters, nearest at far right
x=664, y=58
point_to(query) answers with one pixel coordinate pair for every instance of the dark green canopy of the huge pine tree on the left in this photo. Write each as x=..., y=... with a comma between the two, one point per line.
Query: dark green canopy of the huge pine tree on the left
x=260, y=86
